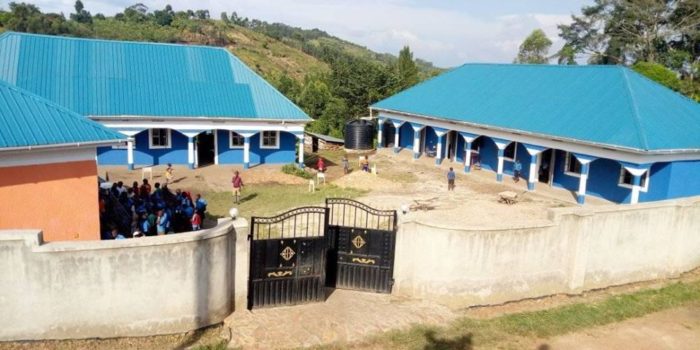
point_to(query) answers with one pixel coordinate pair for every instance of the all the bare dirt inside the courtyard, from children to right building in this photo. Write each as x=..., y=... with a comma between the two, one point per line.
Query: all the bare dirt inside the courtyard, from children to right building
x=399, y=181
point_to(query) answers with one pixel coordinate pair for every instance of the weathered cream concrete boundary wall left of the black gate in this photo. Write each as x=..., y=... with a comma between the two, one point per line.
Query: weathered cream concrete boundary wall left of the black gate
x=135, y=287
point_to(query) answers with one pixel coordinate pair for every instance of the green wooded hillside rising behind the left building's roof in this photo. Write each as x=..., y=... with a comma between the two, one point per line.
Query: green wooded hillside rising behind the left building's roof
x=331, y=79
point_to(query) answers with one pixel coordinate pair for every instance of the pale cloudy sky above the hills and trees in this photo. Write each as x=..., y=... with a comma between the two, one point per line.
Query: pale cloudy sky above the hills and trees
x=447, y=33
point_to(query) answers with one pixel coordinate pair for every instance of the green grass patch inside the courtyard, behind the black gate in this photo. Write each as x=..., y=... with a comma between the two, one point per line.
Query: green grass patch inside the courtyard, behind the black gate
x=271, y=199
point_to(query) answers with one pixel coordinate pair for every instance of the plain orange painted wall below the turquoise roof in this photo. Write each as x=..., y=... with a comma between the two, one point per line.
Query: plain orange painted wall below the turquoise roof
x=60, y=199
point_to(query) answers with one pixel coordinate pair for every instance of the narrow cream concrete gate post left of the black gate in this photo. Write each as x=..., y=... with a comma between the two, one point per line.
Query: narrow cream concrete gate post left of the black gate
x=242, y=268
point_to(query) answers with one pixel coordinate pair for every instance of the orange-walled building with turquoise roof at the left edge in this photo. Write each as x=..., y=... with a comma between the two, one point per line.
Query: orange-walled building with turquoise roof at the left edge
x=48, y=175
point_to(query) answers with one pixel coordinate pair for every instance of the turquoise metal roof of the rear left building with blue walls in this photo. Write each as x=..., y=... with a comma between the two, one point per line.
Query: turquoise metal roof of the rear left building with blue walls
x=118, y=78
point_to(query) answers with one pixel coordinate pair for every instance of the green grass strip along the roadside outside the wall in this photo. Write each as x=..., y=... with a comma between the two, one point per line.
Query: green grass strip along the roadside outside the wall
x=516, y=330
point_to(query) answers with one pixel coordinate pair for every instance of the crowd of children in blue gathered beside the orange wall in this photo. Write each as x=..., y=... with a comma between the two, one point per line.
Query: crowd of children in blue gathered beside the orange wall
x=139, y=211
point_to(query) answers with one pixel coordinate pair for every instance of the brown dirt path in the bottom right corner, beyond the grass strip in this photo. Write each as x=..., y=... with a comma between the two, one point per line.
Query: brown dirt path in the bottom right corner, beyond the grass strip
x=676, y=329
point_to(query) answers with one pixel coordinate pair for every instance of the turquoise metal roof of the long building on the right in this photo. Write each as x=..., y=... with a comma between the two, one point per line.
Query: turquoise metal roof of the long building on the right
x=608, y=105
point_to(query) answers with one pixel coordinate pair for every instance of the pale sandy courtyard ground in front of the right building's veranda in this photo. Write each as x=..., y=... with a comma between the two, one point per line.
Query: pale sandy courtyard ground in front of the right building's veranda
x=402, y=181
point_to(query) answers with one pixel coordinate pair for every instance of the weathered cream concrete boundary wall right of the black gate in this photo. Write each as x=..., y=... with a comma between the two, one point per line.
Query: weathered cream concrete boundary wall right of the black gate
x=583, y=248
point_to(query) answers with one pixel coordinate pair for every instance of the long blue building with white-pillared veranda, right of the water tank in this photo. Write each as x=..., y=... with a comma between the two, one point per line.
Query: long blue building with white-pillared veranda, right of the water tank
x=604, y=131
